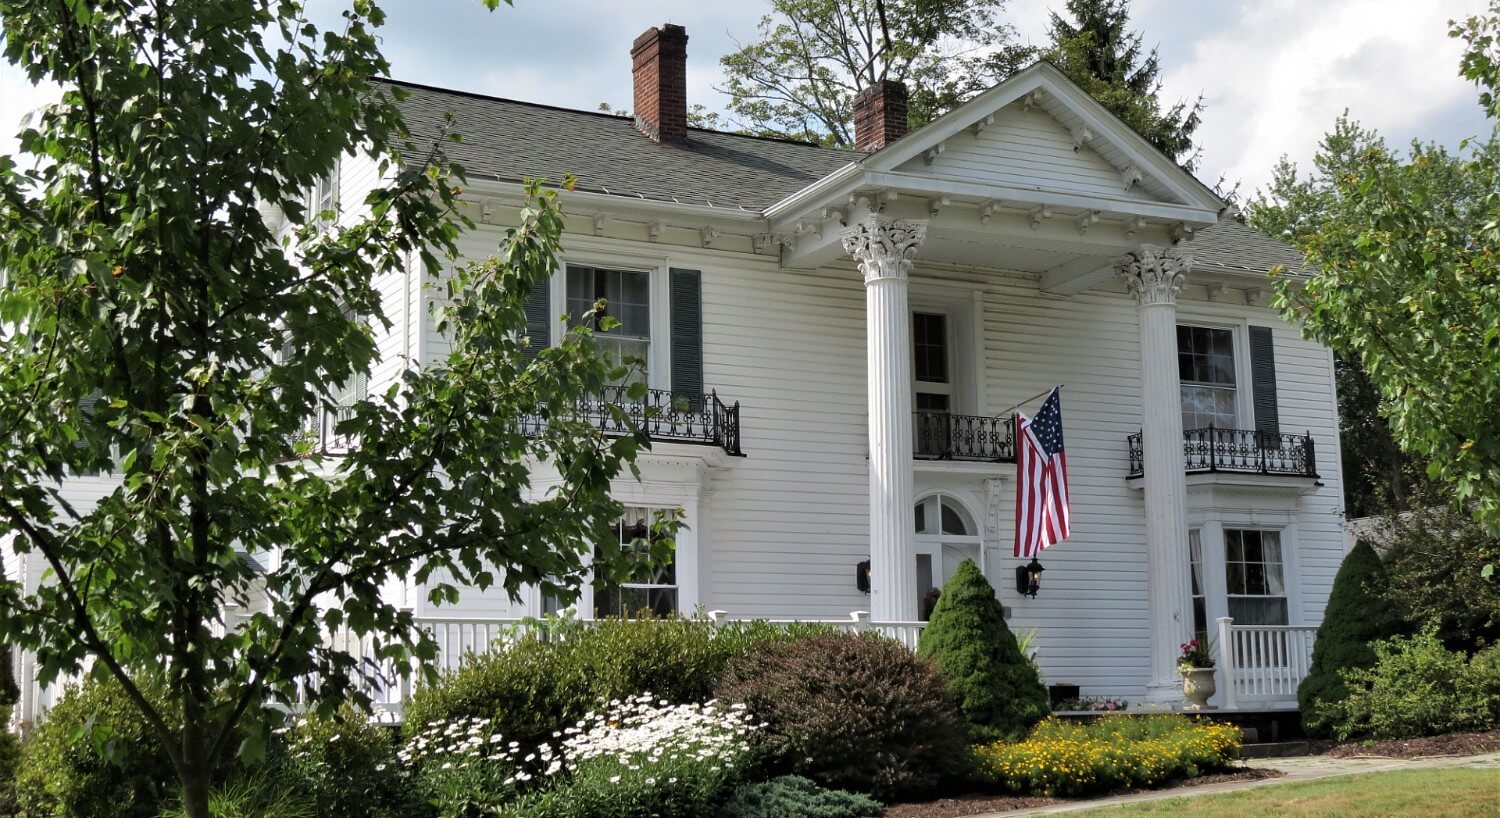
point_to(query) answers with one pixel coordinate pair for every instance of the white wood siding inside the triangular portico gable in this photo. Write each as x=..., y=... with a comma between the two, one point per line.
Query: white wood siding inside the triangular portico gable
x=1027, y=149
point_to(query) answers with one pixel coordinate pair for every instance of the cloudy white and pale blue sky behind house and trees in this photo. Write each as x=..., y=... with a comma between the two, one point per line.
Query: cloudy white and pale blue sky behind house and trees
x=1273, y=73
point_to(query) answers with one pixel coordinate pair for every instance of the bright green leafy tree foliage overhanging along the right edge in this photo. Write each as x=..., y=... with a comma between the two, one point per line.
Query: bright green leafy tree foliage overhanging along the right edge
x=1409, y=286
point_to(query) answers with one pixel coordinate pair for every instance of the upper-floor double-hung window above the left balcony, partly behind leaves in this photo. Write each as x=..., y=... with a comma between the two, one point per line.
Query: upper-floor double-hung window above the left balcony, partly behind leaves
x=628, y=299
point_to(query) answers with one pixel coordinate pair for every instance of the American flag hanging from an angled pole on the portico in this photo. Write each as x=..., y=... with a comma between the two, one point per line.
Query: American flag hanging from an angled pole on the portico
x=1042, y=480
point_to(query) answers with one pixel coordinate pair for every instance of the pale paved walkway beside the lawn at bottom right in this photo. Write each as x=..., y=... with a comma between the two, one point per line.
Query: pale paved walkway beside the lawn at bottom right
x=1297, y=769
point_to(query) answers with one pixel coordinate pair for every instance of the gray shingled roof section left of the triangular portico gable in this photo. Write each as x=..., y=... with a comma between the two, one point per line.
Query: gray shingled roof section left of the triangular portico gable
x=517, y=140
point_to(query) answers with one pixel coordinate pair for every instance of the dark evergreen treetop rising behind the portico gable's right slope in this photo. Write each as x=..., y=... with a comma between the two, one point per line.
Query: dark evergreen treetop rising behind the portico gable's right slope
x=1100, y=53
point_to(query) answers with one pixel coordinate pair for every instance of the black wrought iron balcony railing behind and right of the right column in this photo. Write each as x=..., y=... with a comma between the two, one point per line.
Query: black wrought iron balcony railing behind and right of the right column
x=1240, y=451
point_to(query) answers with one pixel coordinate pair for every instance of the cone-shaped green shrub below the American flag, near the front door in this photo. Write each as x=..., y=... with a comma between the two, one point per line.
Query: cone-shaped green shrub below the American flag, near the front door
x=995, y=685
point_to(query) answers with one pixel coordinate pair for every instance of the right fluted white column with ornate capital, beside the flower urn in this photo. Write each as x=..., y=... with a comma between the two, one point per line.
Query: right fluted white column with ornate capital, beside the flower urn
x=1154, y=275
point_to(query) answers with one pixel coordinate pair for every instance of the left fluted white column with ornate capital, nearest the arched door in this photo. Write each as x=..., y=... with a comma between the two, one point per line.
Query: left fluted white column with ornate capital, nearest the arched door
x=884, y=250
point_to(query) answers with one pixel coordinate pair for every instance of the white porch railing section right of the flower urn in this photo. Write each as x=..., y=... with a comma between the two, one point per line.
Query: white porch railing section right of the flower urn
x=1264, y=664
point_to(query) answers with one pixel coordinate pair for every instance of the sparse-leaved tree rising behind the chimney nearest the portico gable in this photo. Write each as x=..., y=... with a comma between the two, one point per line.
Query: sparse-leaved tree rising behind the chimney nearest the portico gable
x=811, y=58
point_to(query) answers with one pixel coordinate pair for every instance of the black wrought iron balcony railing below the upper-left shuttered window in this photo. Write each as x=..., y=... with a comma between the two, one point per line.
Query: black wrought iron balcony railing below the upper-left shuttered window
x=662, y=415
